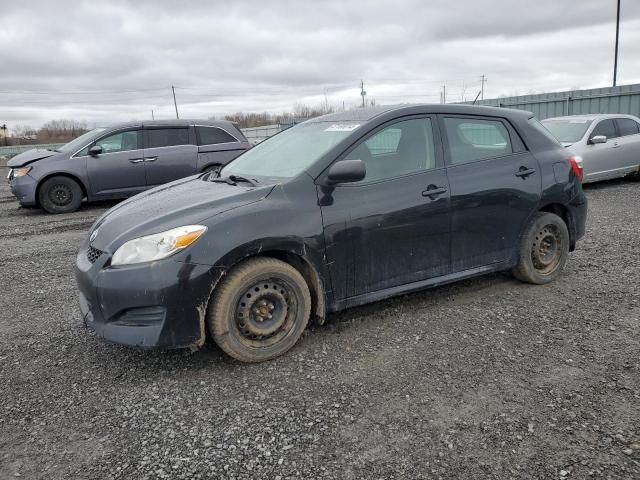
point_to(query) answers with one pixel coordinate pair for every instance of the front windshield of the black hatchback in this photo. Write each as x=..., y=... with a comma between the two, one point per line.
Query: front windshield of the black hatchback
x=289, y=153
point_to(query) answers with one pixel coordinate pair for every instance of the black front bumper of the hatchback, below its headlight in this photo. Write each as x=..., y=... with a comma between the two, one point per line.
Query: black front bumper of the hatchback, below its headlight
x=157, y=304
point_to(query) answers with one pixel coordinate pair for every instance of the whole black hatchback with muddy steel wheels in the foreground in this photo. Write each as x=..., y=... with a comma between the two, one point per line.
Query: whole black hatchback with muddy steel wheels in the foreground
x=338, y=211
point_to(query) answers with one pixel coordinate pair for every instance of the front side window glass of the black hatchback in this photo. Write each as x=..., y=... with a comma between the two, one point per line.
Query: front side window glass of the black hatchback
x=402, y=148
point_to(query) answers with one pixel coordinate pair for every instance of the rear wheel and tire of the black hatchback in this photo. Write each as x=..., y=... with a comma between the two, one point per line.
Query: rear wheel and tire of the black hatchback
x=544, y=249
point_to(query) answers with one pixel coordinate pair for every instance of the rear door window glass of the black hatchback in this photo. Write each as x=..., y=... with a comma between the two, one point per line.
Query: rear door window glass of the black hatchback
x=470, y=140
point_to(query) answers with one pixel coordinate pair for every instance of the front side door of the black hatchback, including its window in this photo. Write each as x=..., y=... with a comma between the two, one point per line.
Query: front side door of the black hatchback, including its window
x=391, y=228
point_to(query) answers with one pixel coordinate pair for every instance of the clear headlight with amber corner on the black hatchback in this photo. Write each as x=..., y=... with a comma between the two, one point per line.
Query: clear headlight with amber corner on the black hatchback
x=157, y=246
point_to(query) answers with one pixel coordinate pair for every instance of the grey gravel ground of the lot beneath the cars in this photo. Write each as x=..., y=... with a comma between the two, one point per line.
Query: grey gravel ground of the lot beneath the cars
x=487, y=378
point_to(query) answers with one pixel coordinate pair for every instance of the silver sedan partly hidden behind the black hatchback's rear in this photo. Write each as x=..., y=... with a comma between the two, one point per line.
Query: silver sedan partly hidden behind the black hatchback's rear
x=609, y=144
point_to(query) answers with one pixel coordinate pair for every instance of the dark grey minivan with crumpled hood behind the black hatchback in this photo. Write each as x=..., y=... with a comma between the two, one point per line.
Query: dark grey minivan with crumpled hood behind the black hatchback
x=121, y=161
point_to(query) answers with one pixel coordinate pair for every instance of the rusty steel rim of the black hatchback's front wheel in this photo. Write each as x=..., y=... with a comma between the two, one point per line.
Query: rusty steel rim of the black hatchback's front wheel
x=265, y=312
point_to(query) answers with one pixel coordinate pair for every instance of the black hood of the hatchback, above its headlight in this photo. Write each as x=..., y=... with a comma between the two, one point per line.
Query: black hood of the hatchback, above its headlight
x=184, y=202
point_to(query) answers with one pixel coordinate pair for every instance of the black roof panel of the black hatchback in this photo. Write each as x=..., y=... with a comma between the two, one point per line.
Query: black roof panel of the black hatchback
x=369, y=113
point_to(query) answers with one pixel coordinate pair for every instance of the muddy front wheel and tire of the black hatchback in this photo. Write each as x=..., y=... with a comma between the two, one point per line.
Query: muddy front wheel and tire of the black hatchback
x=259, y=310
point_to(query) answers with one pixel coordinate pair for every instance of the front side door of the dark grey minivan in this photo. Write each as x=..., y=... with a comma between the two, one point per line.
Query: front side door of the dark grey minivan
x=118, y=171
